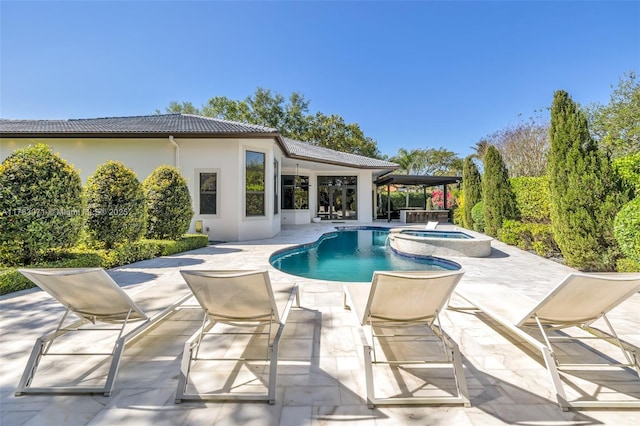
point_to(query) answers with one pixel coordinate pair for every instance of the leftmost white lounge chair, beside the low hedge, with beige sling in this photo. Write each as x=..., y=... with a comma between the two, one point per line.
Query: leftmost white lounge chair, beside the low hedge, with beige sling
x=94, y=297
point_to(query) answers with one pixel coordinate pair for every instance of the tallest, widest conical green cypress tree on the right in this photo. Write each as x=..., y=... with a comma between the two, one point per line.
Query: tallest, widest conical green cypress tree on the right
x=585, y=193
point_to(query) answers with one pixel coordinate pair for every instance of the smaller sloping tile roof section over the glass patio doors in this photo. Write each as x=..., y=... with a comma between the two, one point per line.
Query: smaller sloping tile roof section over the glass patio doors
x=304, y=150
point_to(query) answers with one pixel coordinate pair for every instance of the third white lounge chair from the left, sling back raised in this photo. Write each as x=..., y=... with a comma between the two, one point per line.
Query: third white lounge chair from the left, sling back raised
x=413, y=301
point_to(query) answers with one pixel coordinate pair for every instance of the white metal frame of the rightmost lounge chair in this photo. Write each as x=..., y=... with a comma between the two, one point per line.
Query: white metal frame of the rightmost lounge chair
x=545, y=325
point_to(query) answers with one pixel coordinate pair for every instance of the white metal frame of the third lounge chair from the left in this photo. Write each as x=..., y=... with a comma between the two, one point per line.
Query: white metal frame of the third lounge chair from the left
x=432, y=321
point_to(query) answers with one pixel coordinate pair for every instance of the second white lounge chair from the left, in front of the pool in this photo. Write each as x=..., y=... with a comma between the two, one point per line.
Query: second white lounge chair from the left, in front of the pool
x=238, y=298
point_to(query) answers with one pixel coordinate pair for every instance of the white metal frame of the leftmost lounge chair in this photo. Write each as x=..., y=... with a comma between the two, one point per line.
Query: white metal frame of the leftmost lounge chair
x=43, y=344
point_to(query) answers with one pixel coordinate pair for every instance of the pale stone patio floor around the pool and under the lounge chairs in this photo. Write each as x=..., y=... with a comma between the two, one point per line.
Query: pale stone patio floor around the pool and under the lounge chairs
x=320, y=373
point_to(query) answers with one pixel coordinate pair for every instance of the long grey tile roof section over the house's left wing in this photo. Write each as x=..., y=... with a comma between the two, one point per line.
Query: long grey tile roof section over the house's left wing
x=175, y=124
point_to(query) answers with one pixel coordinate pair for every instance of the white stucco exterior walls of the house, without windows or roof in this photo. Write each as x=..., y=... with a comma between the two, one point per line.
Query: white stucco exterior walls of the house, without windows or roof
x=226, y=157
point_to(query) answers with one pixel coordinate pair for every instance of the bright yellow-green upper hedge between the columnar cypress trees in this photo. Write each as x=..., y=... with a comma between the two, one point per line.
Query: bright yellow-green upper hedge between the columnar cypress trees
x=532, y=198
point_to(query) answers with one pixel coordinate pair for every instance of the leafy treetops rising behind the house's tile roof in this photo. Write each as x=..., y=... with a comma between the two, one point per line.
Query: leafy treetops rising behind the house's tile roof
x=291, y=117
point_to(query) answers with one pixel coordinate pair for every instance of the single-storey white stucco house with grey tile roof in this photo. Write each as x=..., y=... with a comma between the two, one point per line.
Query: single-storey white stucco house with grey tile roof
x=245, y=180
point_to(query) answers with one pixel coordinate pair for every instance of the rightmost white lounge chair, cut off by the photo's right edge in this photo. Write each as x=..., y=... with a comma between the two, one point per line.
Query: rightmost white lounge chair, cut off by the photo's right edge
x=578, y=301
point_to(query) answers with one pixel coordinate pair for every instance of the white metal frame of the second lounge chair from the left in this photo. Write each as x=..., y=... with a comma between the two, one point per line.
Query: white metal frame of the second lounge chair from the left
x=270, y=320
